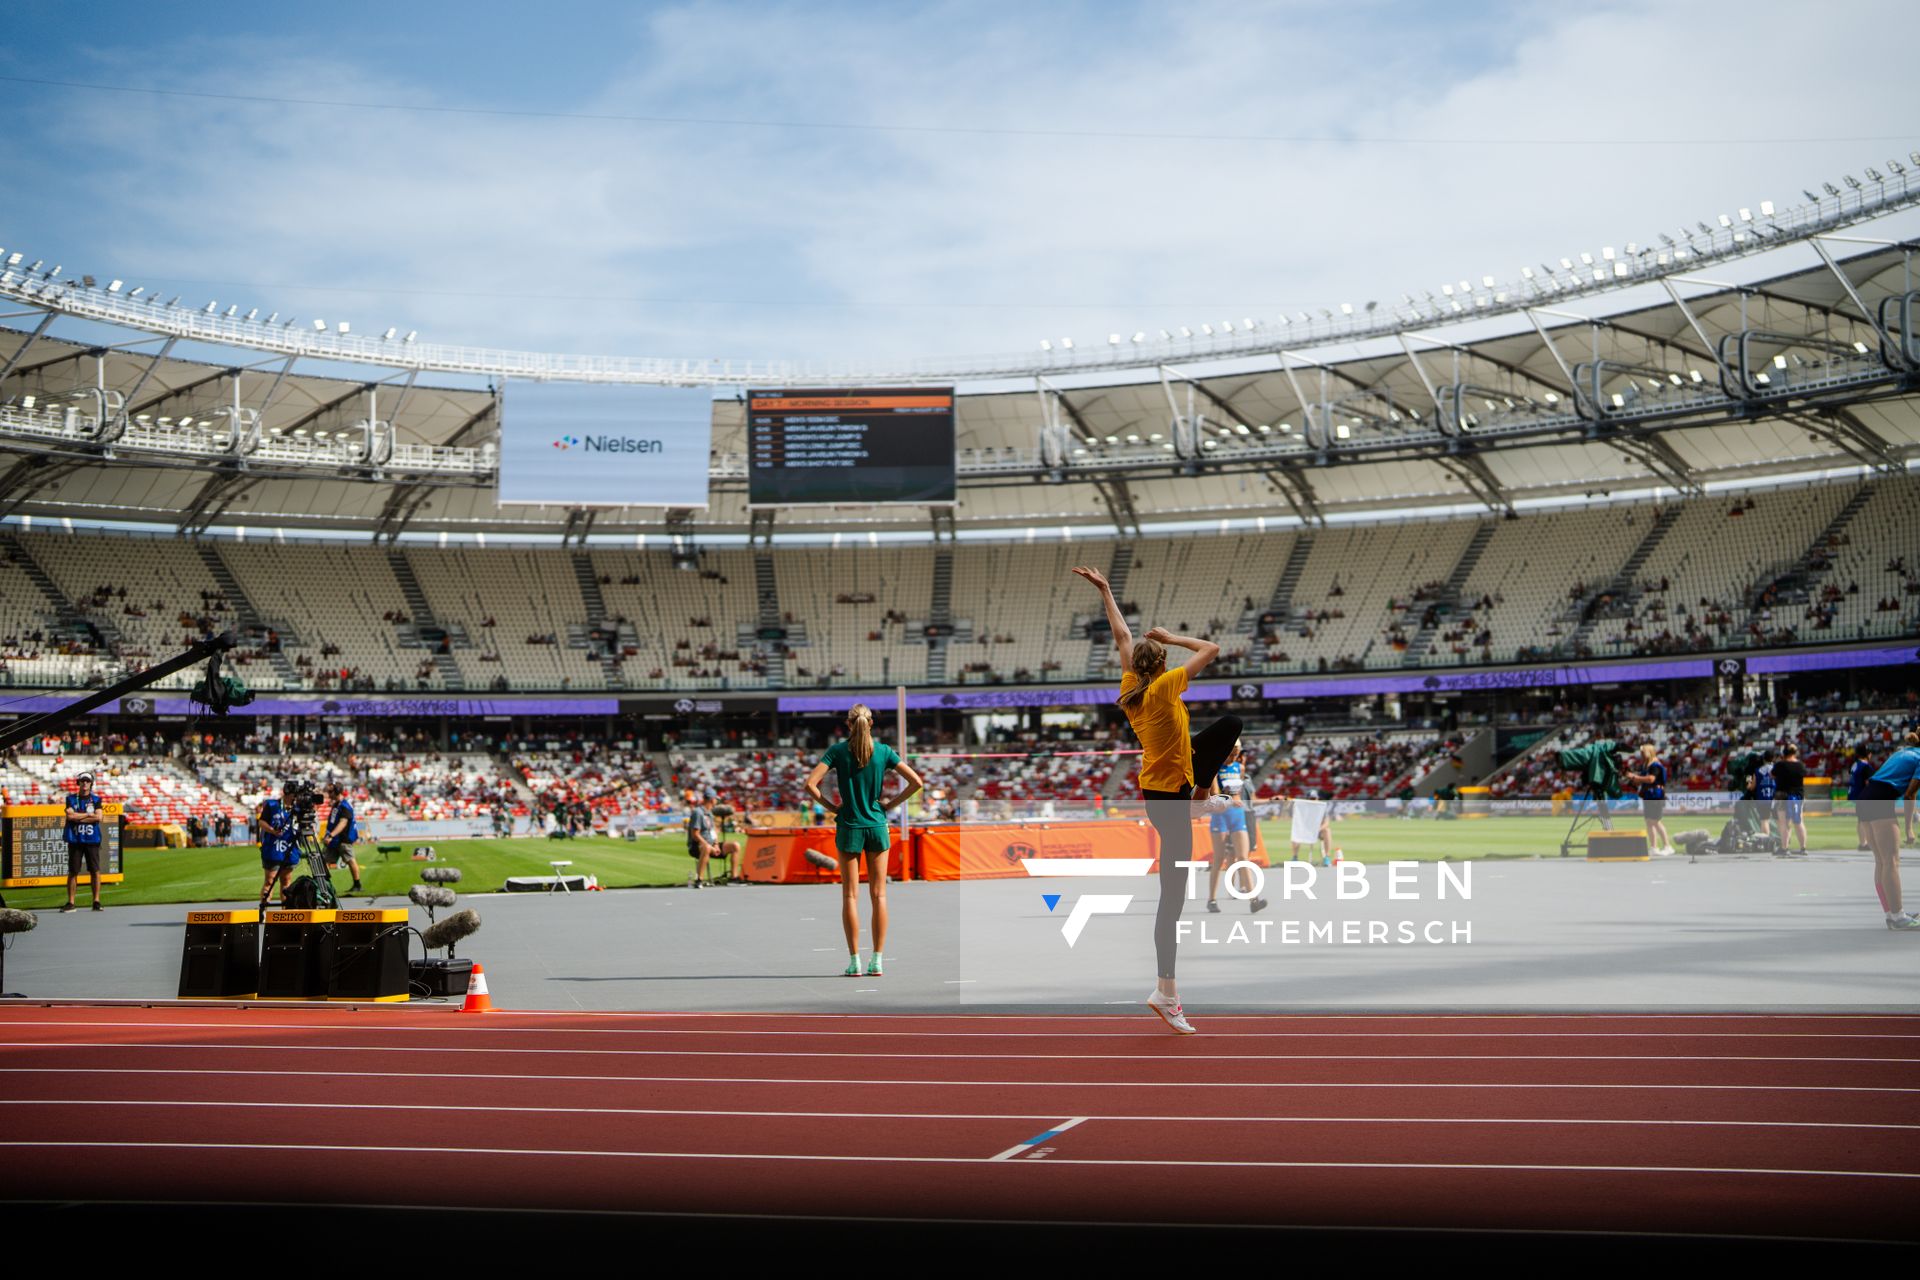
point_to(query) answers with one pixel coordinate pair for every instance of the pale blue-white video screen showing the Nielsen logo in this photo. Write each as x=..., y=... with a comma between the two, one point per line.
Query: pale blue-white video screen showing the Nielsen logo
x=581, y=444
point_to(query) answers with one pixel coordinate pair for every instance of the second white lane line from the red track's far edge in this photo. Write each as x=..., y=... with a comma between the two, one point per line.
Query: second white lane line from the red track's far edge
x=869, y=1056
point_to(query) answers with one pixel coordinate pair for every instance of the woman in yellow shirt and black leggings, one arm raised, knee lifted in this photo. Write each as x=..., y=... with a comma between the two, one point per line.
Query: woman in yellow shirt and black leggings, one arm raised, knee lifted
x=1176, y=770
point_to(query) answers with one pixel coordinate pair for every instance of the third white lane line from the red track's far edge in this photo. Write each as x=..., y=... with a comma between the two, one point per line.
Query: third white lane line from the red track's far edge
x=813, y=1079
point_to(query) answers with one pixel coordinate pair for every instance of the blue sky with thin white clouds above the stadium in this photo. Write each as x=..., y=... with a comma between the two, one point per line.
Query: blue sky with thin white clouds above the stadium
x=982, y=174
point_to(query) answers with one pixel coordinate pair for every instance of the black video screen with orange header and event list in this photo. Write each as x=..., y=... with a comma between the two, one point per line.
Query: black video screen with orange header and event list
x=852, y=448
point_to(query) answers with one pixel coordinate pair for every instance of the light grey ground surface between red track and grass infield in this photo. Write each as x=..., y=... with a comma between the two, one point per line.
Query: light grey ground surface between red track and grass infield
x=1735, y=936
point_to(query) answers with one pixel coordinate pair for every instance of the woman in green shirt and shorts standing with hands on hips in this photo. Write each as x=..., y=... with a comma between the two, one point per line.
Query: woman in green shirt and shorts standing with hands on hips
x=861, y=769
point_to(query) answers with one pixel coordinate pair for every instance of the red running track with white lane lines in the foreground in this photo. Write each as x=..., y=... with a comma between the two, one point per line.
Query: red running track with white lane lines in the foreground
x=1729, y=1126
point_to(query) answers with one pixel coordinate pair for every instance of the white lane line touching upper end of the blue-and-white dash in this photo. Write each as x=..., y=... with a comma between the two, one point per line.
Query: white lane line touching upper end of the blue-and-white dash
x=940, y=1116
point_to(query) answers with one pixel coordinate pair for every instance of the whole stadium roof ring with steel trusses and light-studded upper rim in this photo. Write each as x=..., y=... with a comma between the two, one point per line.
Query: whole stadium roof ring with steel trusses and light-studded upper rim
x=1812, y=369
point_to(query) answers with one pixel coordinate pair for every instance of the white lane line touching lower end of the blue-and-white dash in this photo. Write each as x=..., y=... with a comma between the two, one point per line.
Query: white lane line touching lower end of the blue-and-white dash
x=944, y=1160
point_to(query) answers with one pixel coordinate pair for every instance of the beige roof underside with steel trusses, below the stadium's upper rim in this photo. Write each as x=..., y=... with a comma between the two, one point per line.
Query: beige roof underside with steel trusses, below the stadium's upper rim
x=1804, y=371
